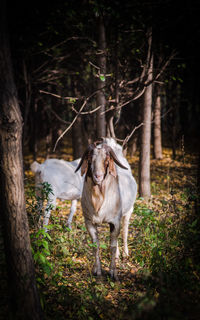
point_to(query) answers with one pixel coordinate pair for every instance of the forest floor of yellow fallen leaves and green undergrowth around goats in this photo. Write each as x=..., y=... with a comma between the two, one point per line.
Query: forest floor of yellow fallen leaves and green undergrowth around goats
x=161, y=277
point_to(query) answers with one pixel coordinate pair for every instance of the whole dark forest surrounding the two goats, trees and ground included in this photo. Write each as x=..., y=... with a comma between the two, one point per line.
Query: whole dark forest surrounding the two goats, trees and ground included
x=72, y=72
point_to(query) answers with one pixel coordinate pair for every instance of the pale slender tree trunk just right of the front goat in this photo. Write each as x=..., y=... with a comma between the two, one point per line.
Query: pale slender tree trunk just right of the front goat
x=144, y=170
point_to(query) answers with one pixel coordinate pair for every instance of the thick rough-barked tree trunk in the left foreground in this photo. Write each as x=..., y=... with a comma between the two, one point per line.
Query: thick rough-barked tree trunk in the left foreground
x=23, y=292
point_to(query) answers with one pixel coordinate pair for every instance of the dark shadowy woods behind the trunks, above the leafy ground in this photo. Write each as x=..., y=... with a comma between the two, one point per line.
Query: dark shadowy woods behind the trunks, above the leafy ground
x=55, y=47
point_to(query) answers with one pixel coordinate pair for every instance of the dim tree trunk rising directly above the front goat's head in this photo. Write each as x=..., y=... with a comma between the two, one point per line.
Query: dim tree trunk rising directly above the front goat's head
x=101, y=100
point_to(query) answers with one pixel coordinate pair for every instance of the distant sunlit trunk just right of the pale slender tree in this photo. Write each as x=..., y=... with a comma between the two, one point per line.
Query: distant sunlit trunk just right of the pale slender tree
x=157, y=125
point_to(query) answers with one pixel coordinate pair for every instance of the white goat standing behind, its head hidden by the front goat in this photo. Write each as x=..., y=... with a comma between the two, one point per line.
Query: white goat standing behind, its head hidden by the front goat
x=65, y=183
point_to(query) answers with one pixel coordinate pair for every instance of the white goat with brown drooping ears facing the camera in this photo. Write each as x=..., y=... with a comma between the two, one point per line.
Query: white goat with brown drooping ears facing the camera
x=109, y=193
